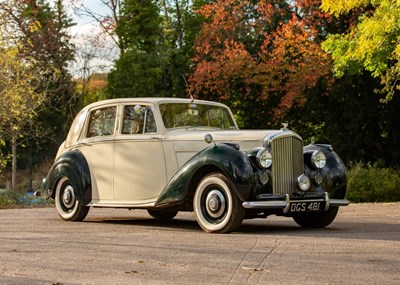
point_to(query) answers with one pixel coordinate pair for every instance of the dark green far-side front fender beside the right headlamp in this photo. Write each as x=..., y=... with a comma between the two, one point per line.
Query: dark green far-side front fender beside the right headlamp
x=334, y=172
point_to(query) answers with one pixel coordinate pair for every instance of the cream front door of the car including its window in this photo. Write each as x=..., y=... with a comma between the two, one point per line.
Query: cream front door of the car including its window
x=139, y=166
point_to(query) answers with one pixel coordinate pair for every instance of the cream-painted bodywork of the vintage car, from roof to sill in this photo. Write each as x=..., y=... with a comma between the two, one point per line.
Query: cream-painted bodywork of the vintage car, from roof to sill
x=131, y=166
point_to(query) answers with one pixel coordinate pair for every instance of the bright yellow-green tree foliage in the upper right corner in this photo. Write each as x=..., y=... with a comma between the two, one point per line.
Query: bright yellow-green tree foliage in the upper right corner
x=372, y=44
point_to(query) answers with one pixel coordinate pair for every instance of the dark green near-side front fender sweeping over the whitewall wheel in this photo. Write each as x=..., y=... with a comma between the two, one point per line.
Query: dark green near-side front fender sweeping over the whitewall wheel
x=222, y=158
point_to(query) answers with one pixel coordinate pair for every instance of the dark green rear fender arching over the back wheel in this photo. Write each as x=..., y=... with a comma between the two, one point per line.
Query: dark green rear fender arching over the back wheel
x=74, y=166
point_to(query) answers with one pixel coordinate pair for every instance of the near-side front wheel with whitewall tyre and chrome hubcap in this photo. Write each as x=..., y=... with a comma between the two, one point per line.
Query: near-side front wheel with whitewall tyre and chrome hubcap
x=217, y=207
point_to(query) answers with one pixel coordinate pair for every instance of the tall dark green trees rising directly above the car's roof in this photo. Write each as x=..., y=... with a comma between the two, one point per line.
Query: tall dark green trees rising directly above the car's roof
x=157, y=38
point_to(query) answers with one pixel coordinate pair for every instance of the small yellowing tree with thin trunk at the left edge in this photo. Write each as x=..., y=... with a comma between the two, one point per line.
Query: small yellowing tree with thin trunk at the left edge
x=20, y=102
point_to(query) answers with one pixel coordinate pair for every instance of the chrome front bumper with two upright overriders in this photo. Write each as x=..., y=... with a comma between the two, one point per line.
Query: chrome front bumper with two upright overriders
x=285, y=204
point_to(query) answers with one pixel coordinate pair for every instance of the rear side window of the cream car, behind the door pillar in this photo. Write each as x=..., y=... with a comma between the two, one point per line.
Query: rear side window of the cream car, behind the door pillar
x=101, y=122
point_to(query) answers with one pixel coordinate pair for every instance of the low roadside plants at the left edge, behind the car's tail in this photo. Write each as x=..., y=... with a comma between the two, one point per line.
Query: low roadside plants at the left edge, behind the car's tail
x=11, y=199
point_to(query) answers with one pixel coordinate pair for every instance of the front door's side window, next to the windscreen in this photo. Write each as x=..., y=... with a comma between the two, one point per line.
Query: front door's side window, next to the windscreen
x=138, y=119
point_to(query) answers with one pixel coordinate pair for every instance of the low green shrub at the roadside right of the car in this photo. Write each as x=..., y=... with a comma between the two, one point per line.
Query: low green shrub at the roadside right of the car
x=367, y=183
